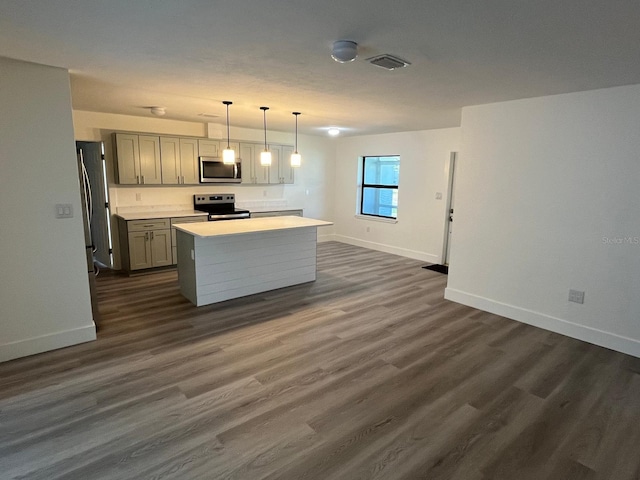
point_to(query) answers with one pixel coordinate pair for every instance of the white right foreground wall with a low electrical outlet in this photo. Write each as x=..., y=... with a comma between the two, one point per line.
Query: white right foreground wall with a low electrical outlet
x=547, y=200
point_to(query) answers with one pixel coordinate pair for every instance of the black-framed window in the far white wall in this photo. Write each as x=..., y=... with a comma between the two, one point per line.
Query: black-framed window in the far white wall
x=379, y=196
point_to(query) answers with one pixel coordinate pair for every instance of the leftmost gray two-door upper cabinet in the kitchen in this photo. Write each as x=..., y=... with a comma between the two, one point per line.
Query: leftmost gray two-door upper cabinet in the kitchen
x=138, y=159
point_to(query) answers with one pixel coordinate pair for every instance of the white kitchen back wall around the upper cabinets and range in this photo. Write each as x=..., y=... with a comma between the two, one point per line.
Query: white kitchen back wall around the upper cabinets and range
x=312, y=190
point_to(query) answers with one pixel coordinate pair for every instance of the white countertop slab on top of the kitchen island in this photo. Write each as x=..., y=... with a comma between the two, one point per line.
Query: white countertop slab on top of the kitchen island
x=248, y=225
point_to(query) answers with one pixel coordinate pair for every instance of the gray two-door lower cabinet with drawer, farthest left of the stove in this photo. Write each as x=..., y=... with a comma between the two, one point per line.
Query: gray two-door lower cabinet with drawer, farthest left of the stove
x=145, y=243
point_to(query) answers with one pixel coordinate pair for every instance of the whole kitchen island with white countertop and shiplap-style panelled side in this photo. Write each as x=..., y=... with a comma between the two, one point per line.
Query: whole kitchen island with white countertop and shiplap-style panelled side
x=218, y=261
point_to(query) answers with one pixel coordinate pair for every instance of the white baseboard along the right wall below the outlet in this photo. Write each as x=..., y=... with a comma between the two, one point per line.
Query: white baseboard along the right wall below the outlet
x=609, y=340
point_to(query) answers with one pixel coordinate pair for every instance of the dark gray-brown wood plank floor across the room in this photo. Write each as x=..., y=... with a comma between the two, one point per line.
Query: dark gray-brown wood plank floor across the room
x=366, y=373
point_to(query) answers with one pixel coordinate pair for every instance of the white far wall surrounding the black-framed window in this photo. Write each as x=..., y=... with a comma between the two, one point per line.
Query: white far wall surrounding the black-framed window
x=424, y=169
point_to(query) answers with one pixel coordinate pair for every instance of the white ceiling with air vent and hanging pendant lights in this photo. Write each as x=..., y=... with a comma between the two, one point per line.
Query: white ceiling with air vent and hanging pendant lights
x=190, y=55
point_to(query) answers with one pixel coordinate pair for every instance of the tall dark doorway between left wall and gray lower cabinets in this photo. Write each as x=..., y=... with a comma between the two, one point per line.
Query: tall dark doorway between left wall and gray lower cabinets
x=91, y=155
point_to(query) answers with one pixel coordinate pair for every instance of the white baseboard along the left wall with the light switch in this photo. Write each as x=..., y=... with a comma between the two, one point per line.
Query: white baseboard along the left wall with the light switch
x=44, y=343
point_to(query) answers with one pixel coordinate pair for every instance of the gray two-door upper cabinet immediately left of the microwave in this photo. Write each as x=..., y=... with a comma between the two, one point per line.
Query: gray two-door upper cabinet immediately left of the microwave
x=179, y=159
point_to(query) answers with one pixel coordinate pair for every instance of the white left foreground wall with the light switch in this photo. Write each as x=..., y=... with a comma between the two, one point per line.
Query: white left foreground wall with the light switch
x=44, y=299
